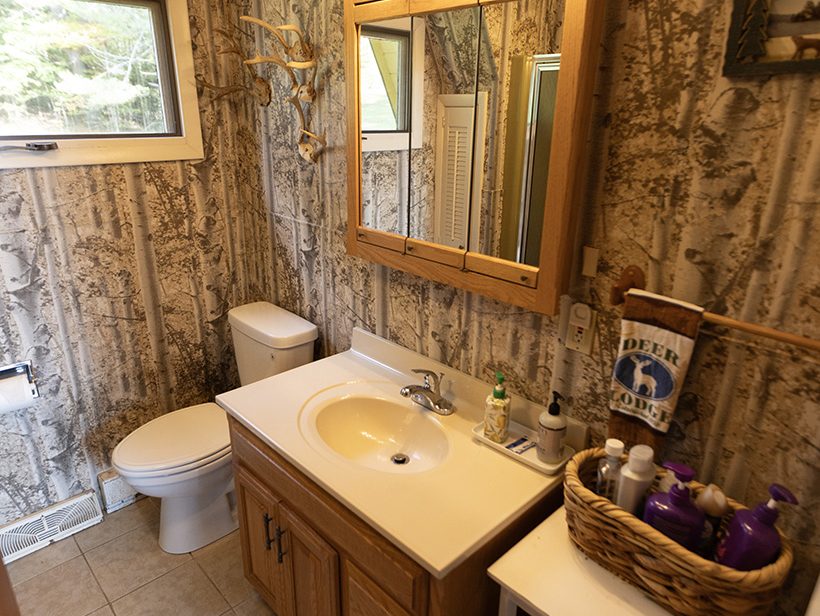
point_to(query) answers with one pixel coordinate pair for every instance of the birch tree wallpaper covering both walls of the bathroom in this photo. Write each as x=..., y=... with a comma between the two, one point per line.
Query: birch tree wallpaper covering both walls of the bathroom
x=116, y=280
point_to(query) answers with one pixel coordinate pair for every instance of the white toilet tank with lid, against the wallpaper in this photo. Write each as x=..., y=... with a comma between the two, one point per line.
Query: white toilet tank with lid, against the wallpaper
x=268, y=340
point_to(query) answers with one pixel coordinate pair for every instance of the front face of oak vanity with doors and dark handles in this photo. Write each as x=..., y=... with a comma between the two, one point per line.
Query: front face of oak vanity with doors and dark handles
x=305, y=553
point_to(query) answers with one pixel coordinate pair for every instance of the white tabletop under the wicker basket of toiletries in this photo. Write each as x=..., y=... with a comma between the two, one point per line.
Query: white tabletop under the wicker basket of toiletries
x=547, y=575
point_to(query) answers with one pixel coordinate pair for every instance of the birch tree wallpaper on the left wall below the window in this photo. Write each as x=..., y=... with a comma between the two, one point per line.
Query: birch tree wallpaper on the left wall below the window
x=116, y=281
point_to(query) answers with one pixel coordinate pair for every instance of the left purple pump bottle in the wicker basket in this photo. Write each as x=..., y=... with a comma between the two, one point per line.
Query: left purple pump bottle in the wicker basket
x=674, y=513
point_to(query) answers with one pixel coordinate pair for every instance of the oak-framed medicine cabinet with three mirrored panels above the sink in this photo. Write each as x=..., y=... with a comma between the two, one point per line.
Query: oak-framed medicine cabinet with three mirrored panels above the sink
x=467, y=126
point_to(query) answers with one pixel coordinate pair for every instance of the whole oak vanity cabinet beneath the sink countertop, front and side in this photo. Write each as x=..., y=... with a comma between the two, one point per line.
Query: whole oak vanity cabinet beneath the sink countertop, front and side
x=308, y=555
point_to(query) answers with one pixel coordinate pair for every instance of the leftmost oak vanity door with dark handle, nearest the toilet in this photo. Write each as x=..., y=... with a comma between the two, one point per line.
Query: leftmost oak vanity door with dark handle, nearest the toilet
x=258, y=522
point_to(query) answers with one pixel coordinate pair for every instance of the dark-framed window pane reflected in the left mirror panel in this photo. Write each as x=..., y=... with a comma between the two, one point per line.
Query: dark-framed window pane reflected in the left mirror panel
x=385, y=64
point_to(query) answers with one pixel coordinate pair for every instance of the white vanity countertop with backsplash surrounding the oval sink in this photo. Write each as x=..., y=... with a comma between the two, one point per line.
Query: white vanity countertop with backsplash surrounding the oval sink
x=438, y=517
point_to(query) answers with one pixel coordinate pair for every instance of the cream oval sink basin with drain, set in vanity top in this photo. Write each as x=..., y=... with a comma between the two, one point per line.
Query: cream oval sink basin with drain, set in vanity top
x=378, y=433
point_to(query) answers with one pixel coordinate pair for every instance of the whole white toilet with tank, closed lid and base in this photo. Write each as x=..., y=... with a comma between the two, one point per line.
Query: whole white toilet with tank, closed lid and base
x=184, y=457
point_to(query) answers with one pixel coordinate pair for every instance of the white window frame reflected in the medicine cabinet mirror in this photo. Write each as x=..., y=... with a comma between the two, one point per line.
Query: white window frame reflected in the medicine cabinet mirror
x=397, y=141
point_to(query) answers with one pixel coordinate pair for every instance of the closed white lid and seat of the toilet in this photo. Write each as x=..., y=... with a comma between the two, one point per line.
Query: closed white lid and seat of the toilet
x=175, y=439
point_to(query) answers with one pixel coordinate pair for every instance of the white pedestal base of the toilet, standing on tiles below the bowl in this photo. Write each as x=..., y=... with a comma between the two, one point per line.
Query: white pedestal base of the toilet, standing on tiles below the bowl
x=188, y=523
